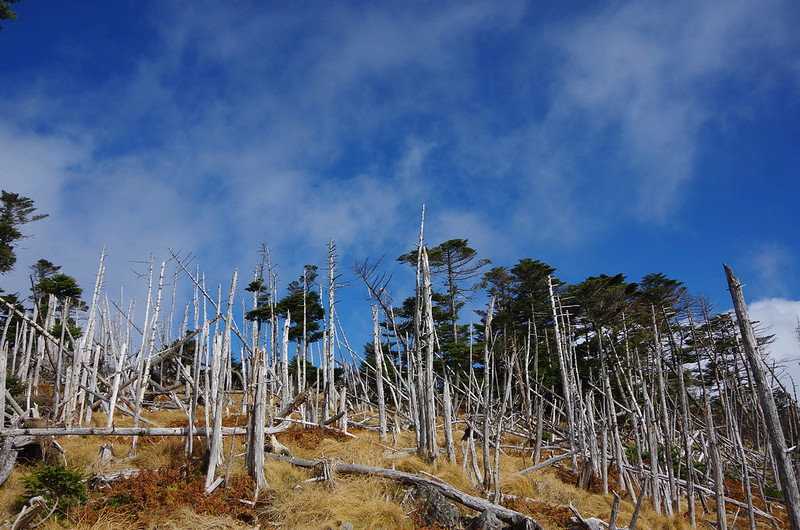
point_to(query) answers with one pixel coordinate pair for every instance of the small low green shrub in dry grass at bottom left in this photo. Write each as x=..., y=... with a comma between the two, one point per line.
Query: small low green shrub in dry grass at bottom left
x=60, y=486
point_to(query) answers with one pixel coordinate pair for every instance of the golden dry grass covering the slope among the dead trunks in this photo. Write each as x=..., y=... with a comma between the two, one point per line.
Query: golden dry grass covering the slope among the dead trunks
x=293, y=500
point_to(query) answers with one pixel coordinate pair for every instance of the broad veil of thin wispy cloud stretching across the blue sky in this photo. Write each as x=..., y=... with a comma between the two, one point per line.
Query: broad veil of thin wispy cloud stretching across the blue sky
x=290, y=124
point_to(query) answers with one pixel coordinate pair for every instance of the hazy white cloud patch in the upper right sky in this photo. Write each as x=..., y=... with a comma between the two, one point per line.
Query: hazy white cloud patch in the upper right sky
x=645, y=78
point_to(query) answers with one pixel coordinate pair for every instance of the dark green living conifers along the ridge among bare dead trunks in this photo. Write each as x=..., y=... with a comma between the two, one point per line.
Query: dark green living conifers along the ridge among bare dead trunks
x=600, y=309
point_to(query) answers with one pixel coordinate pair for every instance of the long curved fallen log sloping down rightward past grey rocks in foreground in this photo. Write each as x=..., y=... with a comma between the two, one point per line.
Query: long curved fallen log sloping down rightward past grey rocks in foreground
x=470, y=501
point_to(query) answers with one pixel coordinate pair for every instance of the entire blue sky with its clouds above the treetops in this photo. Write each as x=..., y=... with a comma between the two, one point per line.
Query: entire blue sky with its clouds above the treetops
x=613, y=137
